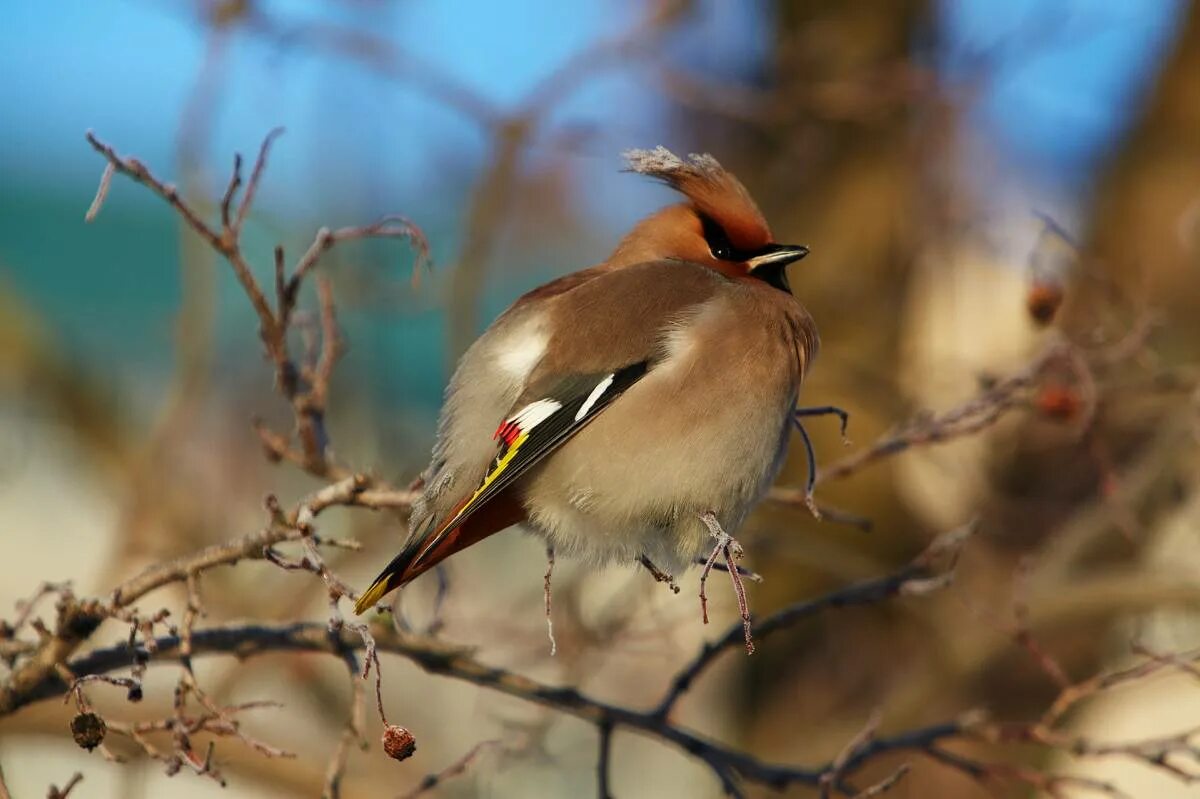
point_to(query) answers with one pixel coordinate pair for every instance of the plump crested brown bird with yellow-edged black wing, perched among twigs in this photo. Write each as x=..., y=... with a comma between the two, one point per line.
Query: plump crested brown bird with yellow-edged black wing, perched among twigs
x=635, y=410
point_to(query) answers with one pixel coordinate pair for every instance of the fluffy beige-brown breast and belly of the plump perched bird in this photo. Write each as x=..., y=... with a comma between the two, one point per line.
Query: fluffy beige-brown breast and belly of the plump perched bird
x=705, y=430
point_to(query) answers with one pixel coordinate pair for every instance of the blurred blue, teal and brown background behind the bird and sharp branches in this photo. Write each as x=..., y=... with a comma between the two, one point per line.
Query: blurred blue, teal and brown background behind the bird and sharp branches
x=949, y=163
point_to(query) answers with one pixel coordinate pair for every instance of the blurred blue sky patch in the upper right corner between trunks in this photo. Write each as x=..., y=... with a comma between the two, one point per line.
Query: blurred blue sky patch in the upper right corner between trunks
x=1067, y=77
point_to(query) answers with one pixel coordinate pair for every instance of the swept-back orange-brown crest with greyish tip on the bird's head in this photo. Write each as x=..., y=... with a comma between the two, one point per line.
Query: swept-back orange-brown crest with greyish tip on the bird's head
x=712, y=190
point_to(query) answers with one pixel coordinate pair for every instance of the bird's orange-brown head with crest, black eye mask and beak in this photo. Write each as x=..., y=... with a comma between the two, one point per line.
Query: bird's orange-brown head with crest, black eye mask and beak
x=719, y=226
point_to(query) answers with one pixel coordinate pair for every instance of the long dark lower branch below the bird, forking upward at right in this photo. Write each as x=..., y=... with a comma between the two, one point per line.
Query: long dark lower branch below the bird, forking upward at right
x=729, y=765
